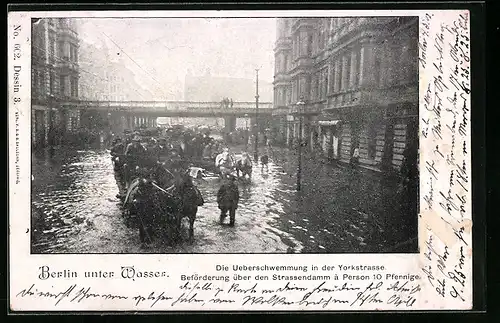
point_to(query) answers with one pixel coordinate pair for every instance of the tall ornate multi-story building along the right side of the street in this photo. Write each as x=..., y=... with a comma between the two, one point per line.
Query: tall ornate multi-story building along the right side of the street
x=358, y=78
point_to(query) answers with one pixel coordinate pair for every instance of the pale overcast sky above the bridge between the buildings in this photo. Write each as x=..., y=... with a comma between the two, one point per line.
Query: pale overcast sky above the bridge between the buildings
x=167, y=48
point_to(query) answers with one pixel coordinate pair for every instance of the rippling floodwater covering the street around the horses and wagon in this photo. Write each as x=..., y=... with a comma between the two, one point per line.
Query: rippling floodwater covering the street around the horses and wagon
x=338, y=210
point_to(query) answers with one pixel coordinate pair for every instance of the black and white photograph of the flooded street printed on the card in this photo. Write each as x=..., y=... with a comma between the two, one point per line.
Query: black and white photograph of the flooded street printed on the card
x=230, y=135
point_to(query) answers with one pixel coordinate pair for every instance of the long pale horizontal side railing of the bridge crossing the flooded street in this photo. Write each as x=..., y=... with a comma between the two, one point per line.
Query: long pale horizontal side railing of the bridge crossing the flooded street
x=171, y=105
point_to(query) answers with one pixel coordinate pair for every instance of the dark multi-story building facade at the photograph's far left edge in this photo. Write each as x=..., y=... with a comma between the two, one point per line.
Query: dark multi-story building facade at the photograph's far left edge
x=54, y=78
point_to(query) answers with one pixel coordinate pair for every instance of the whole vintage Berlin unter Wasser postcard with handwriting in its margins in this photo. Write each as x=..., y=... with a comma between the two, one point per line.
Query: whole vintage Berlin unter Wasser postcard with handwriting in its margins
x=239, y=160
